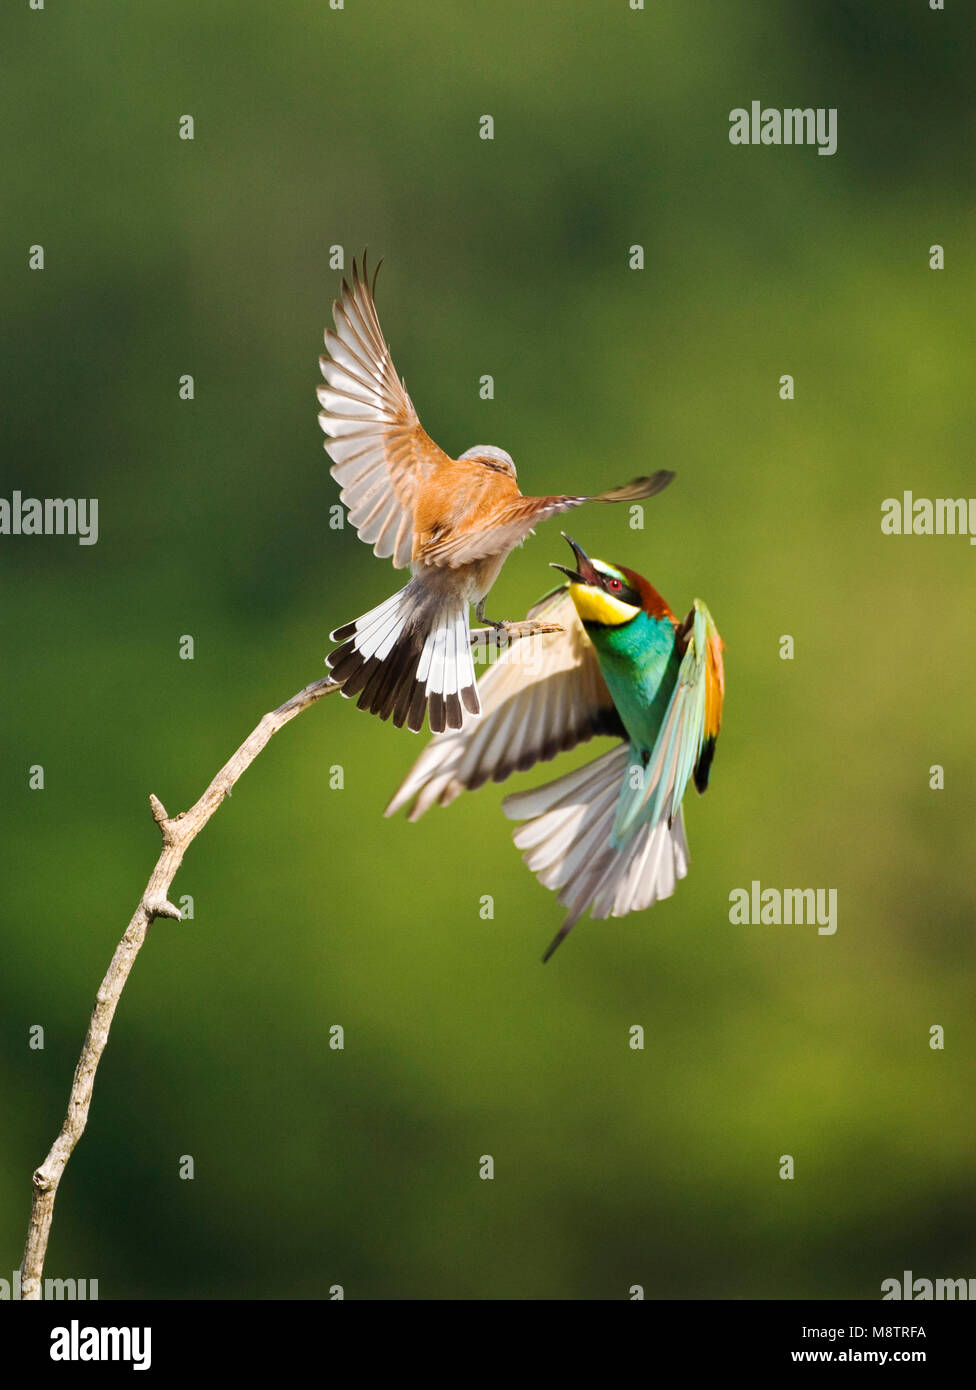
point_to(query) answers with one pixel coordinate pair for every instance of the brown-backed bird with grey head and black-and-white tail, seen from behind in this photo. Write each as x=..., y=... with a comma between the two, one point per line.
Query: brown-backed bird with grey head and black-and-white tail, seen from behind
x=453, y=521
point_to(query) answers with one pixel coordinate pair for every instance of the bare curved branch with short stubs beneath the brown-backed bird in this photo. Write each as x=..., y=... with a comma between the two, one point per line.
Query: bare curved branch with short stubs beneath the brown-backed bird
x=179, y=833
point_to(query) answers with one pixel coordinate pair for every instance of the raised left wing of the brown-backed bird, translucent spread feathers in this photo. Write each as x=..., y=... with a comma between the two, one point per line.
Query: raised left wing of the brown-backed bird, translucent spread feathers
x=377, y=444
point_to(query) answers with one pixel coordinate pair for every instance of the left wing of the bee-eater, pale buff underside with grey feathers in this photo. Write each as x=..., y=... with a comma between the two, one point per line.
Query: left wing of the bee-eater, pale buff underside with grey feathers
x=543, y=696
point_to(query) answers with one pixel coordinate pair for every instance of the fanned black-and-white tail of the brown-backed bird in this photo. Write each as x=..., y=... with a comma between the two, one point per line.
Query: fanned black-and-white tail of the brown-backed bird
x=408, y=658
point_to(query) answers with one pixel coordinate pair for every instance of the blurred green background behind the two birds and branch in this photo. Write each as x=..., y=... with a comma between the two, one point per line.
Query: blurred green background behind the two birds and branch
x=612, y=1167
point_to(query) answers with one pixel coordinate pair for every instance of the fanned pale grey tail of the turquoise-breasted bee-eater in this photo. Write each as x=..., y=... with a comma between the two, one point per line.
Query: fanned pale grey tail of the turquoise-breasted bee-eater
x=568, y=844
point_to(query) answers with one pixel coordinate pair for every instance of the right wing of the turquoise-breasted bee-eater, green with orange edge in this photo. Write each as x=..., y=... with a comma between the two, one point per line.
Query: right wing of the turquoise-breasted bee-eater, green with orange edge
x=686, y=742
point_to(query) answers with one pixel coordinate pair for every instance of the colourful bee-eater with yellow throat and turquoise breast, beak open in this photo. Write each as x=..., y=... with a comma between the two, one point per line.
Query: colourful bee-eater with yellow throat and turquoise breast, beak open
x=608, y=836
